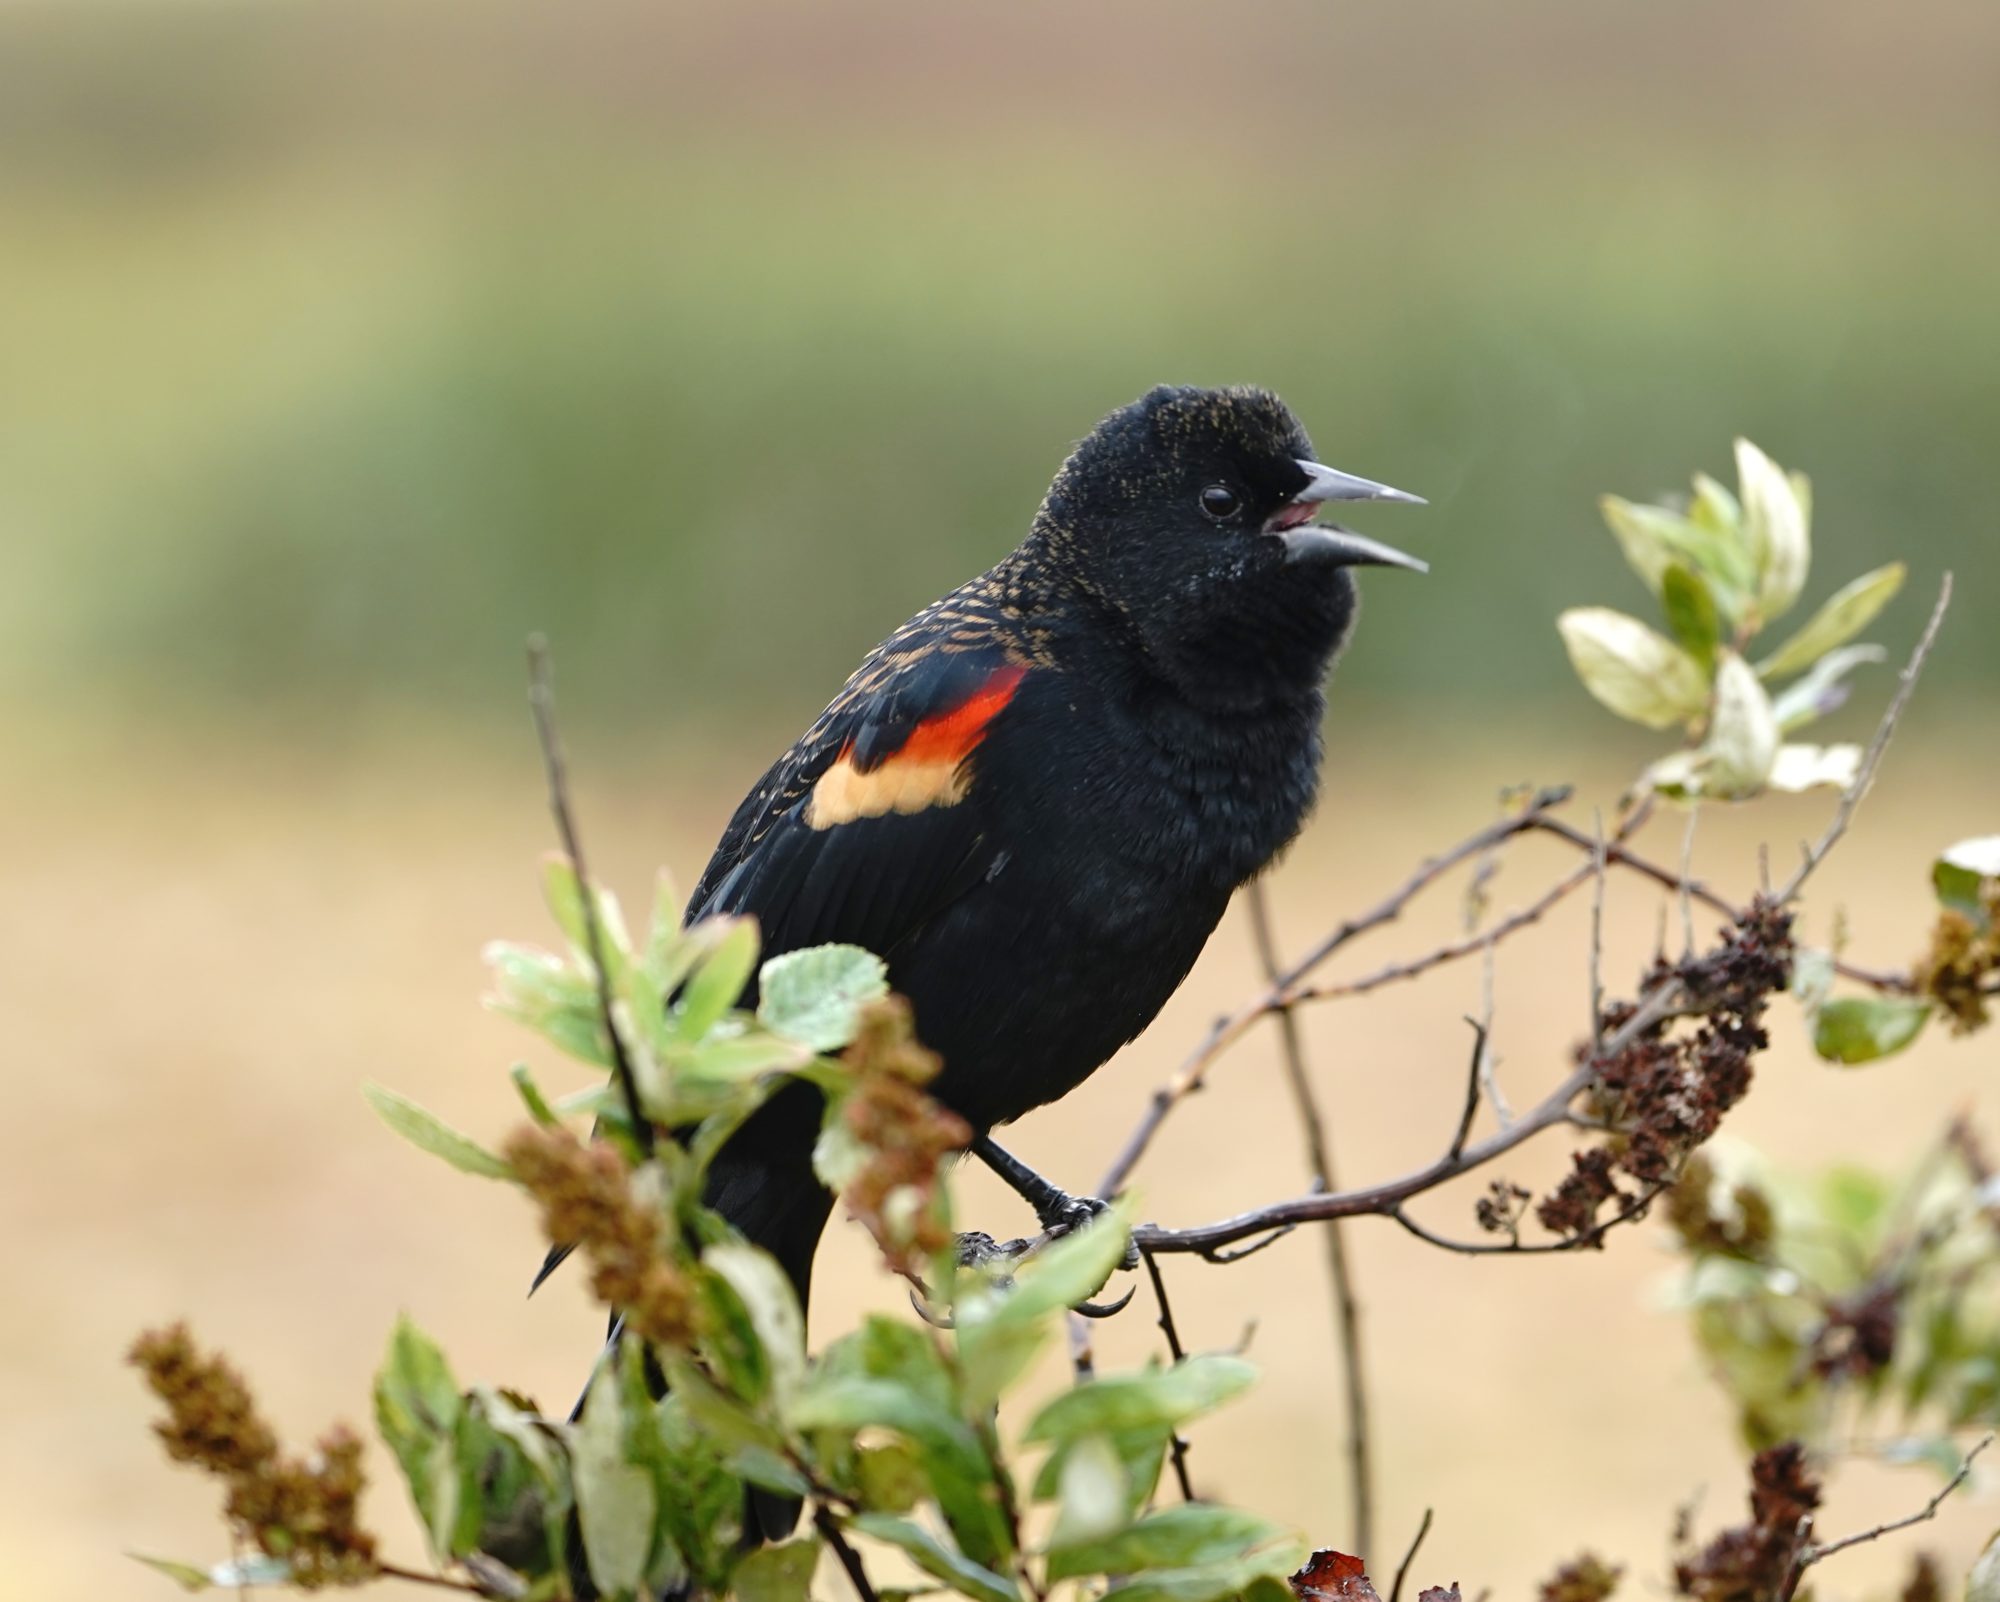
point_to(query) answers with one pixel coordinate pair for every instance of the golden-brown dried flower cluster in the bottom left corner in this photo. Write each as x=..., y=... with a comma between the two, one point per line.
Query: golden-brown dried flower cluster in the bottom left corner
x=307, y=1513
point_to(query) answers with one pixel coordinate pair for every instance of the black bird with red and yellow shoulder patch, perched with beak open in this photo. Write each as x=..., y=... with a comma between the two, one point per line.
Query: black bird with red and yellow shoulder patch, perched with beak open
x=1037, y=797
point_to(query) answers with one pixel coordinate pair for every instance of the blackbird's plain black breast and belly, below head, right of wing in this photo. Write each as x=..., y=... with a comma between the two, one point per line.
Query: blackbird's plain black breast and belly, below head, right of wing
x=1123, y=823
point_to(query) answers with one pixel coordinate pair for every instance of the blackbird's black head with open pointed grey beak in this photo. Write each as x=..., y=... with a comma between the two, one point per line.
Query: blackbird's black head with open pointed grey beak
x=1197, y=515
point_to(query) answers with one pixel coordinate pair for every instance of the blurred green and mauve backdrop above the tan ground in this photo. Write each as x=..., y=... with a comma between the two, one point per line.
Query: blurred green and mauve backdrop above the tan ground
x=341, y=345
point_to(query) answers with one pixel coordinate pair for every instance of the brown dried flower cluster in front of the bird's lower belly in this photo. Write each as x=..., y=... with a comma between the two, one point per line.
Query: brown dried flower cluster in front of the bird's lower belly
x=907, y=1135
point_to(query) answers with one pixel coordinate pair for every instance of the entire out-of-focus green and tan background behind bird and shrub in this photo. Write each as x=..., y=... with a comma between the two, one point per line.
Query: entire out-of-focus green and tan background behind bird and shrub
x=345, y=345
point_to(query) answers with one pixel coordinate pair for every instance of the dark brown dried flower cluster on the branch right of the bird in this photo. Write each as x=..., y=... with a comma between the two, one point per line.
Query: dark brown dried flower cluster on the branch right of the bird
x=1669, y=1089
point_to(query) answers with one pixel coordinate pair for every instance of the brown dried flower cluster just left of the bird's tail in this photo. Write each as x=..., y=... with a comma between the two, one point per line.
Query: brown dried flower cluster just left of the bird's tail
x=585, y=1191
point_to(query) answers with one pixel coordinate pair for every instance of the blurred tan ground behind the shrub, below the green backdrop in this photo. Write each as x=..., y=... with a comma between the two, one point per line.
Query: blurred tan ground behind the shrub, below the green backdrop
x=211, y=945
